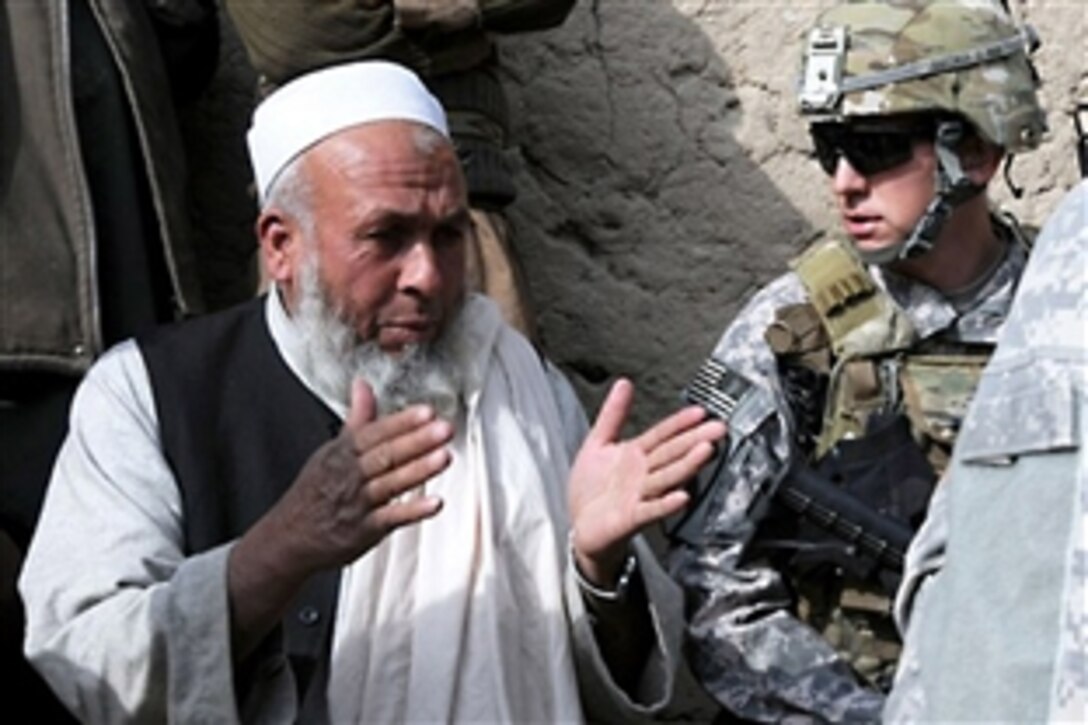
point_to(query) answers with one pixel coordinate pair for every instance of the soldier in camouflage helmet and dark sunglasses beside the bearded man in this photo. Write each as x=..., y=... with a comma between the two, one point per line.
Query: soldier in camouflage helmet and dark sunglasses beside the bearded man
x=845, y=380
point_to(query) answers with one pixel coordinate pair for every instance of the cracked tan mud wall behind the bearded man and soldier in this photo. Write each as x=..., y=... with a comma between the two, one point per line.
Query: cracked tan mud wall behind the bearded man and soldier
x=664, y=174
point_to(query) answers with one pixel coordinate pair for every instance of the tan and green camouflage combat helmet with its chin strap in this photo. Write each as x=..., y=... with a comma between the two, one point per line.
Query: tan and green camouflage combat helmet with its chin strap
x=963, y=60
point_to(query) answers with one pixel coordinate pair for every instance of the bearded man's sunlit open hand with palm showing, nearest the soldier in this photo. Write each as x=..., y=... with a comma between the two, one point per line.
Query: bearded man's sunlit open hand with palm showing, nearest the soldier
x=619, y=487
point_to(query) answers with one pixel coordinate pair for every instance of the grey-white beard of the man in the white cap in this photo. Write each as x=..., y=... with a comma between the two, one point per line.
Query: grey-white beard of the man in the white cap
x=428, y=373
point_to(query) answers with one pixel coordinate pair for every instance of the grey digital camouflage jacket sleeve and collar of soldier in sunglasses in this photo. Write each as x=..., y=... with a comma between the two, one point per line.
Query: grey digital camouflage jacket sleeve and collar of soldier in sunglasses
x=747, y=647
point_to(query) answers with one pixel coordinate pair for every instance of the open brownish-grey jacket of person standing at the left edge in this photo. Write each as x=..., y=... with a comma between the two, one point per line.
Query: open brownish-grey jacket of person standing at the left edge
x=51, y=296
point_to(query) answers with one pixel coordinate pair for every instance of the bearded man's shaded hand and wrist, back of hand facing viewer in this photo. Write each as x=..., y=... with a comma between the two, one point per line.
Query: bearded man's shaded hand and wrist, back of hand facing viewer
x=347, y=499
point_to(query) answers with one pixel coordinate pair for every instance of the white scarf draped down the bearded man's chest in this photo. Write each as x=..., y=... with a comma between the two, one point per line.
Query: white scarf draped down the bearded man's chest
x=463, y=618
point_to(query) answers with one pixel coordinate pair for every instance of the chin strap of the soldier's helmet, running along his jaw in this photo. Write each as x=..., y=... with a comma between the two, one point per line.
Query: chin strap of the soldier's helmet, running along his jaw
x=954, y=189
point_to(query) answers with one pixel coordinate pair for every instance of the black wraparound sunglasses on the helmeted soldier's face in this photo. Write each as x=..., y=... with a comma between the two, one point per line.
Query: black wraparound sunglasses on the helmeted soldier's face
x=869, y=150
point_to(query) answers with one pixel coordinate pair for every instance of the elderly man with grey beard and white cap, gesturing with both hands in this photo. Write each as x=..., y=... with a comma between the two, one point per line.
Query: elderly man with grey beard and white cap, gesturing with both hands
x=207, y=554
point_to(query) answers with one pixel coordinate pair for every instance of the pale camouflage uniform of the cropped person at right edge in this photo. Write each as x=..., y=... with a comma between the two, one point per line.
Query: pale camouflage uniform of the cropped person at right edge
x=1000, y=568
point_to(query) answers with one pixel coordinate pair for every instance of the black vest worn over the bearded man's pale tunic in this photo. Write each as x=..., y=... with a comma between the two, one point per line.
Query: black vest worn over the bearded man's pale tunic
x=237, y=426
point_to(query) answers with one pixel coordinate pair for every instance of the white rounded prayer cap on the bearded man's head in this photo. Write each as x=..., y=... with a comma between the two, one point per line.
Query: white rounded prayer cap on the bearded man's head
x=318, y=105
